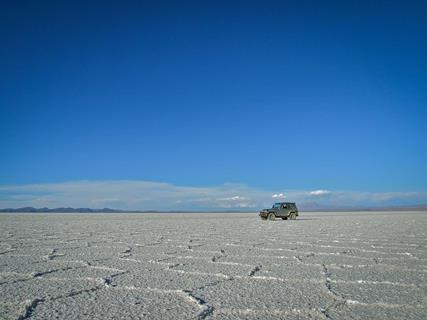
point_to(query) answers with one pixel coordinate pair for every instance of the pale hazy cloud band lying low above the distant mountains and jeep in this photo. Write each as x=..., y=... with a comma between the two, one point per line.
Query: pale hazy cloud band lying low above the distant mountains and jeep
x=146, y=195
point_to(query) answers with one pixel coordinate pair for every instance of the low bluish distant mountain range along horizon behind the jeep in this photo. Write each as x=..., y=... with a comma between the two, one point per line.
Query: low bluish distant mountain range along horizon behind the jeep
x=303, y=207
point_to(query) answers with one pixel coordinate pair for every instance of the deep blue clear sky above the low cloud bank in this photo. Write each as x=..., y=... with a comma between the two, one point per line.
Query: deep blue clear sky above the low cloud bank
x=272, y=96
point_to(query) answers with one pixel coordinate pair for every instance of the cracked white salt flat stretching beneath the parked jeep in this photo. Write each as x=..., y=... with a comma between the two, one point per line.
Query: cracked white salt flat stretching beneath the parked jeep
x=354, y=265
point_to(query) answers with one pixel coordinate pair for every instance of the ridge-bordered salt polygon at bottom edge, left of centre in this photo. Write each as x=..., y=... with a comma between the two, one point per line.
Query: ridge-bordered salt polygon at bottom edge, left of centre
x=119, y=303
